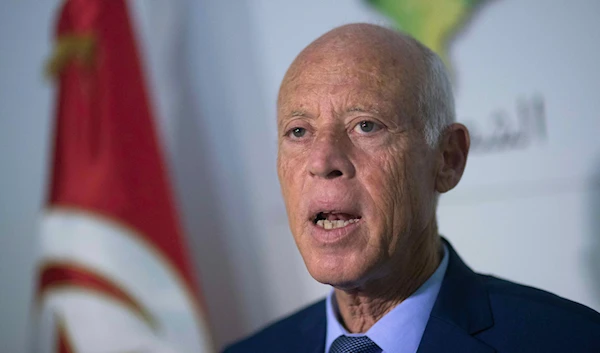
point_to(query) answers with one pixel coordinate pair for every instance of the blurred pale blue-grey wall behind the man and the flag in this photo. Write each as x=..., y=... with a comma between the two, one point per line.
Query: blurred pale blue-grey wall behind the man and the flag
x=527, y=85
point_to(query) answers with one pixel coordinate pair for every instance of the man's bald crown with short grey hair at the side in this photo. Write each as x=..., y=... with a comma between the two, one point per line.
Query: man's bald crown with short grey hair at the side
x=400, y=66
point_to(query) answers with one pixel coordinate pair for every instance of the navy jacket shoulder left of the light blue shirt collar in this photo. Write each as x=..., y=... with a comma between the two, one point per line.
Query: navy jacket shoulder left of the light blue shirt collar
x=282, y=333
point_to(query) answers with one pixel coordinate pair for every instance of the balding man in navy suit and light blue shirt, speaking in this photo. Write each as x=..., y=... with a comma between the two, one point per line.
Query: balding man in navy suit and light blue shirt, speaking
x=367, y=142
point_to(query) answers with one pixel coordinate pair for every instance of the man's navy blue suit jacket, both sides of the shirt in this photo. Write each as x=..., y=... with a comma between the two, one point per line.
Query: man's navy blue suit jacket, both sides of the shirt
x=473, y=313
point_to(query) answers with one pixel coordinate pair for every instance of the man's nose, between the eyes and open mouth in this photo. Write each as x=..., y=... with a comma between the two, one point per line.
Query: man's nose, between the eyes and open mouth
x=329, y=157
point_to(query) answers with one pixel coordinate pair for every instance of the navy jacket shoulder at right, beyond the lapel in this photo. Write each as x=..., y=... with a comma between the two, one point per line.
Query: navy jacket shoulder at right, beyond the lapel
x=540, y=316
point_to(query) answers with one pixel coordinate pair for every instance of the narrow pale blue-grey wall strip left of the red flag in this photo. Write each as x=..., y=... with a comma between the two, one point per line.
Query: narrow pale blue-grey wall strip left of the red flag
x=25, y=100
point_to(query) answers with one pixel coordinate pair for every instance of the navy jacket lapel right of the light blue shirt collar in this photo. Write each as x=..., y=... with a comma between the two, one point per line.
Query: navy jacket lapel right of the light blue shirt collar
x=461, y=310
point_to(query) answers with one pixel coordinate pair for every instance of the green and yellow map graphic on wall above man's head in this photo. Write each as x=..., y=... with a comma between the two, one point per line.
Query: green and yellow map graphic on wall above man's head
x=432, y=22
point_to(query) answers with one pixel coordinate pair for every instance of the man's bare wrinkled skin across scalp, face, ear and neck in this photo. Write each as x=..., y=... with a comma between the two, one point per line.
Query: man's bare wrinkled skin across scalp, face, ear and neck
x=349, y=140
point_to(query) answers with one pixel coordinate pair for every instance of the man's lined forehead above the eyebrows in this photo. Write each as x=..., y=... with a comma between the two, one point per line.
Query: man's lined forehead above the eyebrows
x=352, y=80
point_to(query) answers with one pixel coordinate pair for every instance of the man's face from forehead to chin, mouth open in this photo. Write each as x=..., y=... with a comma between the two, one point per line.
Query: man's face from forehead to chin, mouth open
x=356, y=173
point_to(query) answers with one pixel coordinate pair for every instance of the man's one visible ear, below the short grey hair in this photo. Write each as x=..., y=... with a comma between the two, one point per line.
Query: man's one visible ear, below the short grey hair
x=453, y=150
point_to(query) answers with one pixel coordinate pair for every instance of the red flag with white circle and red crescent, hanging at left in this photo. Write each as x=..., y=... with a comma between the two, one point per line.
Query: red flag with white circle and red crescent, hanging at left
x=114, y=275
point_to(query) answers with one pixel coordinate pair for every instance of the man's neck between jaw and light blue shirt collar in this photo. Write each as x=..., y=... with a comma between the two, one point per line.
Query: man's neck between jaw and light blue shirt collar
x=360, y=308
